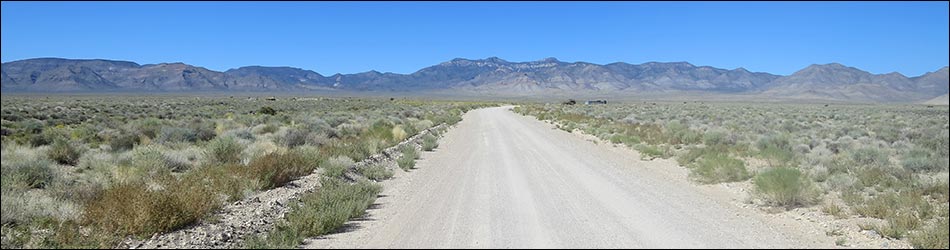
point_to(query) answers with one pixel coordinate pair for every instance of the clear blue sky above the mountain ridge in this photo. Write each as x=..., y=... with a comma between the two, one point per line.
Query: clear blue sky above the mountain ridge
x=349, y=37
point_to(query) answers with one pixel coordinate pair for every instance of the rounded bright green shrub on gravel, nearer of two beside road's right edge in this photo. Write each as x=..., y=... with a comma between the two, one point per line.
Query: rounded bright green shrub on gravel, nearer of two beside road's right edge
x=786, y=187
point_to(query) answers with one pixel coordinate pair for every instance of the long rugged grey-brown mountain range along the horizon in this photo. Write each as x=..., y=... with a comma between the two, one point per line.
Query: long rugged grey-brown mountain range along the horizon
x=490, y=76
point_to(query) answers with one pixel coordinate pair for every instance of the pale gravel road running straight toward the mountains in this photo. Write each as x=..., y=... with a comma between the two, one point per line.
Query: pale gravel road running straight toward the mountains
x=501, y=180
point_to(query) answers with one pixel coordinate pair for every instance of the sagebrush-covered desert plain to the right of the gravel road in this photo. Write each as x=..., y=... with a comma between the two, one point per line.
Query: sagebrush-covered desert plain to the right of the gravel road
x=885, y=163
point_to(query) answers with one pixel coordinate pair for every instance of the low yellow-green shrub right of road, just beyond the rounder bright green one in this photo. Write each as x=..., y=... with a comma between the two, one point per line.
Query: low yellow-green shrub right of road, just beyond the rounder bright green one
x=719, y=168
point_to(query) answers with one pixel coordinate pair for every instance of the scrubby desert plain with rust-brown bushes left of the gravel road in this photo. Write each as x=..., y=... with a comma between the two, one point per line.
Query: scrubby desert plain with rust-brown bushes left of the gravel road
x=89, y=171
